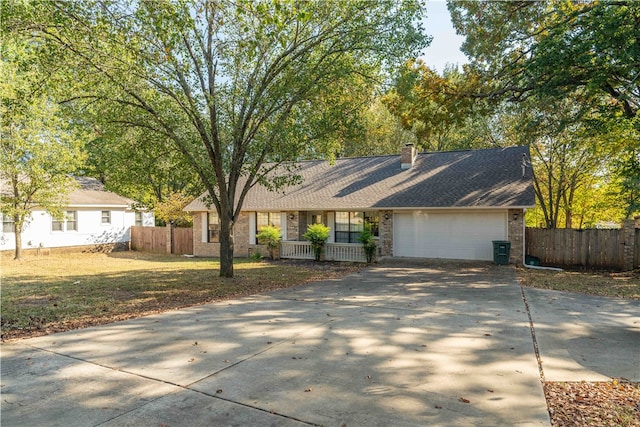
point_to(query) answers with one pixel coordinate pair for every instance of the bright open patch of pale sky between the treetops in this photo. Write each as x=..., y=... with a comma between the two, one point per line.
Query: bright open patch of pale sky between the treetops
x=445, y=47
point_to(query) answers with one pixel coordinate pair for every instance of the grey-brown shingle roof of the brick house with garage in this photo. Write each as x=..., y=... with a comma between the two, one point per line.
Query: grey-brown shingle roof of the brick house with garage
x=474, y=178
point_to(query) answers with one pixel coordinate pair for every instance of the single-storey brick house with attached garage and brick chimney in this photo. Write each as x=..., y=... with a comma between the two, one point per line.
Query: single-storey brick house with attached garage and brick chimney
x=449, y=205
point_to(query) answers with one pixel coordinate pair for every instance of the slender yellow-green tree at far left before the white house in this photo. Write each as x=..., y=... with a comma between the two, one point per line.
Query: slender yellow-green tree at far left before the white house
x=39, y=146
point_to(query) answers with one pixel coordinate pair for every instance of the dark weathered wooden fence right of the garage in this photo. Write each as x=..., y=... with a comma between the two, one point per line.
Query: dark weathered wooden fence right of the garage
x=592, y=248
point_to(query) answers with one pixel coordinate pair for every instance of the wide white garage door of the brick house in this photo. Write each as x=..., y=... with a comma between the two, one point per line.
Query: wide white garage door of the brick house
x=449, y=235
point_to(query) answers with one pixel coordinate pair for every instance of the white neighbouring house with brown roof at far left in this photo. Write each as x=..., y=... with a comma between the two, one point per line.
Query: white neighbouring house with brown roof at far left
x=94, y=218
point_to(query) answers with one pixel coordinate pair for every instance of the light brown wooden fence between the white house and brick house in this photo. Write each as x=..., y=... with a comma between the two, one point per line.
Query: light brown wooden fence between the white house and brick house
x=162, y=240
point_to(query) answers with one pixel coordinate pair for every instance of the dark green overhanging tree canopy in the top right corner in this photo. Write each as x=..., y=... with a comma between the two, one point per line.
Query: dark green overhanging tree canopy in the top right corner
x=552, y=50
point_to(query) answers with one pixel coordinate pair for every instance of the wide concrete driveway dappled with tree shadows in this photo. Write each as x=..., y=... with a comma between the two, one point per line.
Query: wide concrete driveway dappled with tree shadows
x=397, y=344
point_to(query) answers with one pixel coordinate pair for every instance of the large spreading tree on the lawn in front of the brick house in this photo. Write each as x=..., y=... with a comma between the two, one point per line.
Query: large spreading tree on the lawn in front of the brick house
x=232, y=84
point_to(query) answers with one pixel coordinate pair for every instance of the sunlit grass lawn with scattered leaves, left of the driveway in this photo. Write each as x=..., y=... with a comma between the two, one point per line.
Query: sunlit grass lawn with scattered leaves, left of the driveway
x=60, y=292
